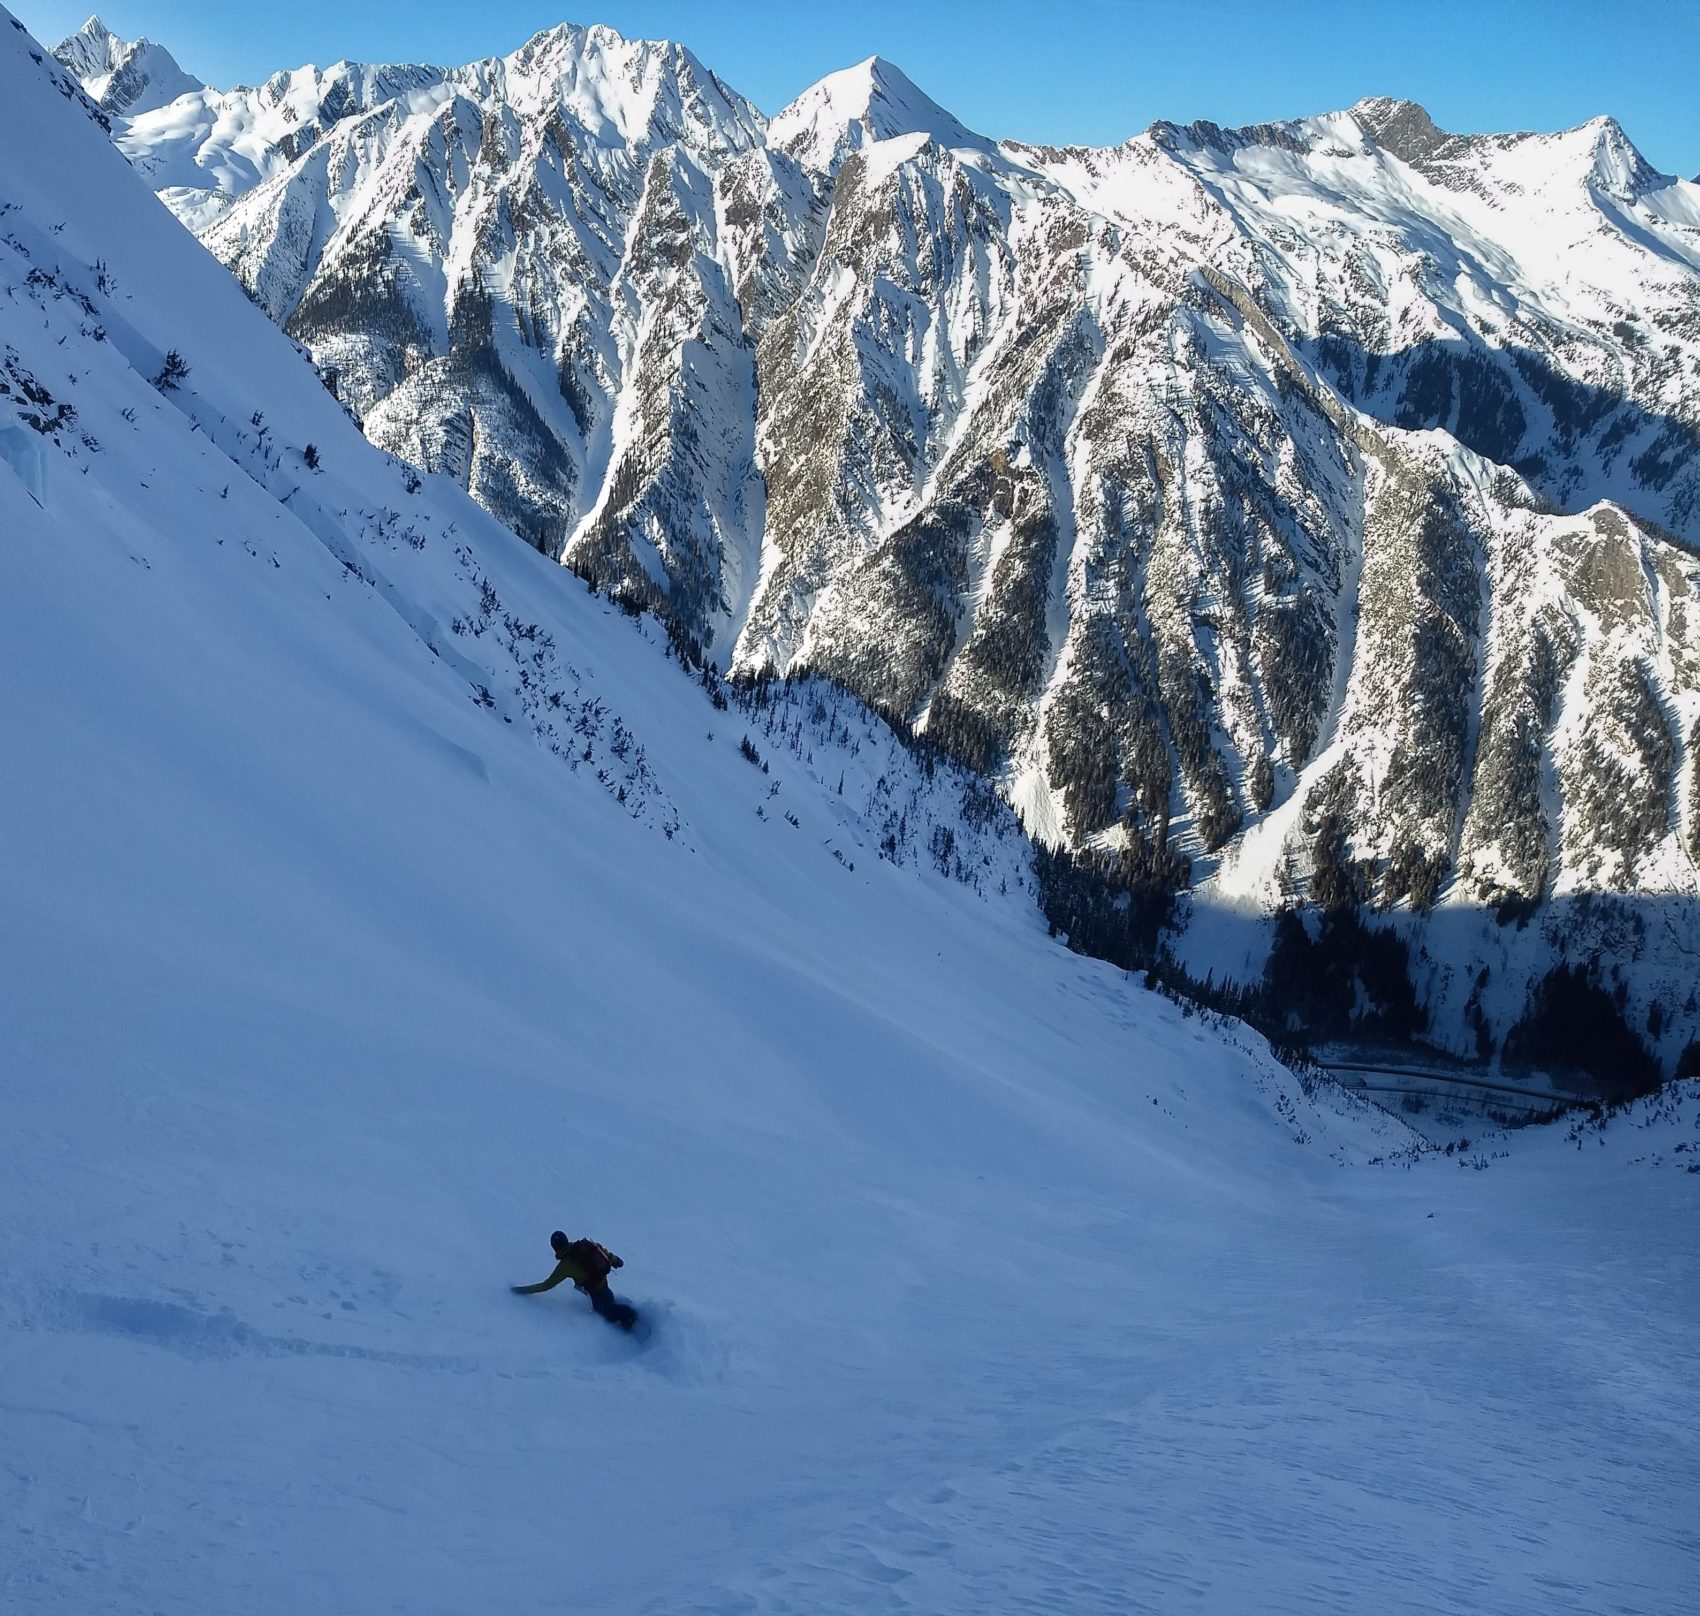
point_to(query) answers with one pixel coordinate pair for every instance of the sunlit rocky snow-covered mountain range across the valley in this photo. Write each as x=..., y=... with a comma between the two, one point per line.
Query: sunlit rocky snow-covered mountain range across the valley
x=1306, y=512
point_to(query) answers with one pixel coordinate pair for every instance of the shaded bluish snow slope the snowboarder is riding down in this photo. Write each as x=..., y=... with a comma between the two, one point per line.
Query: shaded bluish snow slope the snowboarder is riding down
x=377, y=900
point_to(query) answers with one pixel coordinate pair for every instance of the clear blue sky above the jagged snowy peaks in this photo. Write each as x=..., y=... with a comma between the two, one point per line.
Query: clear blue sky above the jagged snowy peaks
x=1075, y=71
